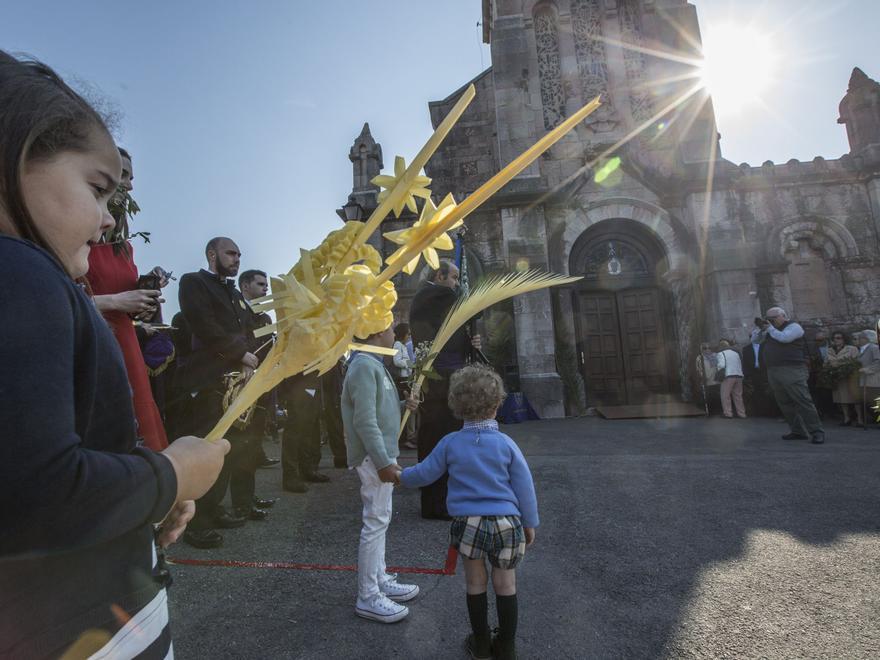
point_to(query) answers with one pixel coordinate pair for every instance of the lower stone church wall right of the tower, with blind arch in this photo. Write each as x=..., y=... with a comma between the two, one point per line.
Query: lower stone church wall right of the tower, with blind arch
x=801, y=235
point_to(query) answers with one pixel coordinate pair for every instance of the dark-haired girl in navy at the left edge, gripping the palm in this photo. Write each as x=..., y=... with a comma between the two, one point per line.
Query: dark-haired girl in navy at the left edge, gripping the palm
x=79, y=497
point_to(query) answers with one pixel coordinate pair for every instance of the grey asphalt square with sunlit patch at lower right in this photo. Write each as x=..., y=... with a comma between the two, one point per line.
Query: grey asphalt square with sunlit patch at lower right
x=660, y=538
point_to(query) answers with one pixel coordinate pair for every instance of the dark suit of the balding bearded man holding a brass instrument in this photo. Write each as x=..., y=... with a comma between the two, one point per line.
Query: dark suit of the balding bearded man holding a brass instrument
x=220, y=323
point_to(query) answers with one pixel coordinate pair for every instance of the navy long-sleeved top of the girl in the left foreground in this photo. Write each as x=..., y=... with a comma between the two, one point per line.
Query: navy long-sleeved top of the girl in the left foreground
x=79, y=497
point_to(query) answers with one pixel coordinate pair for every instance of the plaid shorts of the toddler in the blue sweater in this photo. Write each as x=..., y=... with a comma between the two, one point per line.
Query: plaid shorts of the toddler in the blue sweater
x=501, y=538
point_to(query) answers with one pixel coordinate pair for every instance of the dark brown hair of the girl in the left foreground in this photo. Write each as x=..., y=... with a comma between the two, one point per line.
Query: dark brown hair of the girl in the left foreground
x=40, y=117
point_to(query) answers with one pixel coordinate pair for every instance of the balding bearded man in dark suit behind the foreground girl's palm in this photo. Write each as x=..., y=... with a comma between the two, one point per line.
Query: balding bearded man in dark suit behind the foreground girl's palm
x=222, y=341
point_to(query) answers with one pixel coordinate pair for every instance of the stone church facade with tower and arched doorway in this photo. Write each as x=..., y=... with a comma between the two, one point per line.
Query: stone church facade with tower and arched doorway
x=676, y=245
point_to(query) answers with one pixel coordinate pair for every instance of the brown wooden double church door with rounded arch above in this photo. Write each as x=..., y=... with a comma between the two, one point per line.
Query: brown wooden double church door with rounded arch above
x=624, y=335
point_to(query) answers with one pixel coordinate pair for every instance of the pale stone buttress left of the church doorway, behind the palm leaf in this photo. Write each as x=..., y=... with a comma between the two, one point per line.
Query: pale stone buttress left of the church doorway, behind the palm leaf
x=525, y=240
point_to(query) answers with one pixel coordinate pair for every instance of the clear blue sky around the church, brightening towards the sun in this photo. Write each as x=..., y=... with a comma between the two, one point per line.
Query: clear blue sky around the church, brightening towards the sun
x=240, y=114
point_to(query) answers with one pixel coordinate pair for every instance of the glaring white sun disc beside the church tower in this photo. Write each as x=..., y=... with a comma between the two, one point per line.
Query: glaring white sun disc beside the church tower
x=738, y=66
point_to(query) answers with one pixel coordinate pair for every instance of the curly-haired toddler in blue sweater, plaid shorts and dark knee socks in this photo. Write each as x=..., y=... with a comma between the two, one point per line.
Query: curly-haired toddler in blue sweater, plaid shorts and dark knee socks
x=491, y=499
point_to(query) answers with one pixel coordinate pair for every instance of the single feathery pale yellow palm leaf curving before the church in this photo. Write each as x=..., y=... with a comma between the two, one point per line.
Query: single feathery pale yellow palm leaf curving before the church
x=489, y=292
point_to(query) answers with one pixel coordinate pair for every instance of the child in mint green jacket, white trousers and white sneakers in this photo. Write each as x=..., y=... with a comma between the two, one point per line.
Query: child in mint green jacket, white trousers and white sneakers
x=371, y=417
